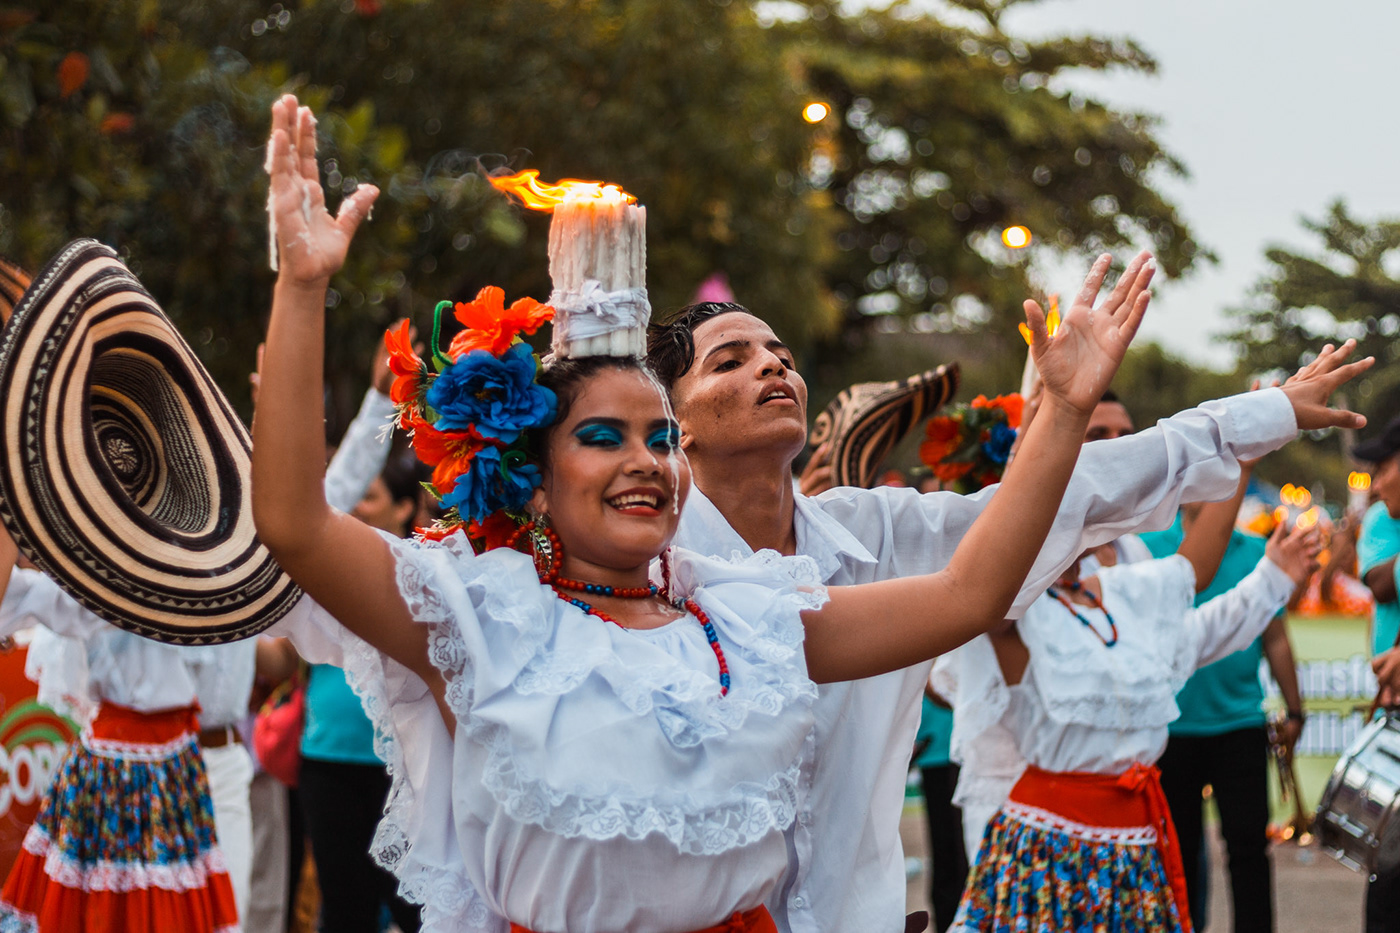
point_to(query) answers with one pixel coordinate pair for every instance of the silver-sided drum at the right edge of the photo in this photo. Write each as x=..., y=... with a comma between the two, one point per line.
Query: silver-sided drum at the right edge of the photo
x=1357, y=817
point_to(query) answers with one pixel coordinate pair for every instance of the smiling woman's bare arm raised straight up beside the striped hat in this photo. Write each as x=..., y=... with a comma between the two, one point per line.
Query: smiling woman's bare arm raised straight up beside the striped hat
x=342, y=564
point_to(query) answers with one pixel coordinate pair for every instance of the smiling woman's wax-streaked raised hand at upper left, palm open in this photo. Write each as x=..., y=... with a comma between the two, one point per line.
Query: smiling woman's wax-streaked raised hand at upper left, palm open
x=311, y=244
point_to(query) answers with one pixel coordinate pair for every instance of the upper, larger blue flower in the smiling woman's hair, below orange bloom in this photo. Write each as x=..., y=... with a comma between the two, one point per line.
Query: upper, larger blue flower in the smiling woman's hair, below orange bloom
x=498, y=397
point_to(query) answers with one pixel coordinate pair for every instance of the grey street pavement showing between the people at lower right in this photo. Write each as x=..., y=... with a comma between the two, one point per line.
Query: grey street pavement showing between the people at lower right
x=1312, y=893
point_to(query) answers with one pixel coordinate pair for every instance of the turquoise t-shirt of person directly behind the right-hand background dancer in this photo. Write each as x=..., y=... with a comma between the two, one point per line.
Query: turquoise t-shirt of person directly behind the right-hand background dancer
x=1227, y=696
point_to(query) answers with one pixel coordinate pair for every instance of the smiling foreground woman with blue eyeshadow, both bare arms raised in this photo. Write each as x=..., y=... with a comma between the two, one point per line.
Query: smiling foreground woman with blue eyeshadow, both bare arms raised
x=622, y=756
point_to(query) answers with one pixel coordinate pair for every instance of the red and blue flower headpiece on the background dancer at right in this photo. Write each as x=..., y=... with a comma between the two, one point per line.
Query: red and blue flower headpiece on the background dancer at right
x=968, y=449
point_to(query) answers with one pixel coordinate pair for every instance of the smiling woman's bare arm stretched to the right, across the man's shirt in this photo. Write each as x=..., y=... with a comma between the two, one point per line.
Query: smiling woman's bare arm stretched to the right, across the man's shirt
x=888, y=626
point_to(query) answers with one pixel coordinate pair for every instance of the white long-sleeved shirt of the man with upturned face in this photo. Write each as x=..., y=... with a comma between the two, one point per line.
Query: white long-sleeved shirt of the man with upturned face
x=846, y=868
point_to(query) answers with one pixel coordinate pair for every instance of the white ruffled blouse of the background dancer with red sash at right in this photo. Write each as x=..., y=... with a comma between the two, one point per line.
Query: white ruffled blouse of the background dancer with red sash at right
x=1084, y=707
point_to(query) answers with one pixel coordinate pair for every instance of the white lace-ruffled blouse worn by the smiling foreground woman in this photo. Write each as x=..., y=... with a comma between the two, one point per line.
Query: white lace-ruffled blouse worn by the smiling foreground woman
x=597, y=781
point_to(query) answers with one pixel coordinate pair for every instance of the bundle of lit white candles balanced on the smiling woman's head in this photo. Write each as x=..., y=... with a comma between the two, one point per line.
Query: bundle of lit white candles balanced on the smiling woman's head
x=597, y=264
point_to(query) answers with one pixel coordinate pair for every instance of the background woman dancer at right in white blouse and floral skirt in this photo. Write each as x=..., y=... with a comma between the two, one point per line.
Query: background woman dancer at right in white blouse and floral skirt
x=1084, y=689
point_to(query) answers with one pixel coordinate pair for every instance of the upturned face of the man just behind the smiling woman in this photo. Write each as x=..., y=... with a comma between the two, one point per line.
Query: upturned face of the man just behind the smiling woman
x=741, y=393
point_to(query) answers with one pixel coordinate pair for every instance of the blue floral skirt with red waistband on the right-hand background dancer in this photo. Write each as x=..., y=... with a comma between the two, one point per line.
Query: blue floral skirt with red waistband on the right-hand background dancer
x=1042, y=871
